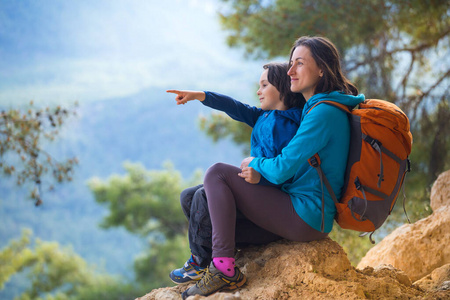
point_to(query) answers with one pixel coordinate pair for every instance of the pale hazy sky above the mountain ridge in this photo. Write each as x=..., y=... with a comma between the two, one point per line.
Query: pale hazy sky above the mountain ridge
x=82, y=50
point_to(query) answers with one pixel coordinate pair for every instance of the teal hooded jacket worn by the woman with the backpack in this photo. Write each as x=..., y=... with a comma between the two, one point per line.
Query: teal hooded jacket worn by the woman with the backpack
x=324, y=130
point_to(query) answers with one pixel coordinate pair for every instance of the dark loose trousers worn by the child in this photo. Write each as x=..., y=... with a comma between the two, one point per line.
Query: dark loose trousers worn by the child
x=195, y=207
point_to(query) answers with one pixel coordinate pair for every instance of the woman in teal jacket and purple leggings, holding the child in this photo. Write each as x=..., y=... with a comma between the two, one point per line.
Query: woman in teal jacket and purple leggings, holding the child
x=295, y=211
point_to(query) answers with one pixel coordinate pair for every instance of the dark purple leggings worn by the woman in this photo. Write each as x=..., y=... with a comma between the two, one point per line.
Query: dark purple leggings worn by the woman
x=267, y=207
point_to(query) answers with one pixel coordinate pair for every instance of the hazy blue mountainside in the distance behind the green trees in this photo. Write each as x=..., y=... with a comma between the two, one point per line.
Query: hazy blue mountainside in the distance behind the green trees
x=148, y=128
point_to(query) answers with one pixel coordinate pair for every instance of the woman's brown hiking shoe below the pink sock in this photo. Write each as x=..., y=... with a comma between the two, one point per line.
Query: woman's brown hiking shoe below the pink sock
x=213, y=280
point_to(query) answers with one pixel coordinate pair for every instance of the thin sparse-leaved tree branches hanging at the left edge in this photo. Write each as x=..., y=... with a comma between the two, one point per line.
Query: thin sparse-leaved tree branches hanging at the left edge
x=21, y=151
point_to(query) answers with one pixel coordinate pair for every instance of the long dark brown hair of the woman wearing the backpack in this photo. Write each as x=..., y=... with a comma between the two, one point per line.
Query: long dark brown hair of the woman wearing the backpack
x=328, y=60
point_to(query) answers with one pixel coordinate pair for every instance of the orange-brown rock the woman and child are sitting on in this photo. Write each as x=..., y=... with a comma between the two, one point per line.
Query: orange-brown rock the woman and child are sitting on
x=314, y=270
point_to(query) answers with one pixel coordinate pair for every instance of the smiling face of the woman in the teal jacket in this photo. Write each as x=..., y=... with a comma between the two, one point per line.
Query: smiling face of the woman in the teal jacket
x=304, y=72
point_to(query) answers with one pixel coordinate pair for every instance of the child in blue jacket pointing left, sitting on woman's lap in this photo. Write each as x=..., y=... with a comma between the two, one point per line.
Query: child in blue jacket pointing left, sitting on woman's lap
x=274, y=125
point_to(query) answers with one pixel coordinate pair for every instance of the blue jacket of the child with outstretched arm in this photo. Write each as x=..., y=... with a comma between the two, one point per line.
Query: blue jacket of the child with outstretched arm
x=272, y=129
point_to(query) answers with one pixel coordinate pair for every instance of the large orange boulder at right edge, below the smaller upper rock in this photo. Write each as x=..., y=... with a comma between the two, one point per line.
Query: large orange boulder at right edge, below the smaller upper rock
x=417, y=248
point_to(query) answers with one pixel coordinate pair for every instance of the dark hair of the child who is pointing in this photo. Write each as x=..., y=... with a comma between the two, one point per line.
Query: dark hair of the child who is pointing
x=277, y=76
